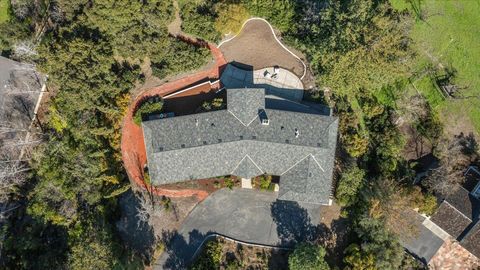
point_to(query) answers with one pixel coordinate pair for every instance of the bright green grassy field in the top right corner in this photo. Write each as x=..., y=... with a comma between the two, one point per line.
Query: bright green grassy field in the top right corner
x=447, y=35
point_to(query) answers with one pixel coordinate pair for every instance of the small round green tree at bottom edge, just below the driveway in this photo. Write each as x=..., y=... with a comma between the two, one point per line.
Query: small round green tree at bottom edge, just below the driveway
x=307, y=256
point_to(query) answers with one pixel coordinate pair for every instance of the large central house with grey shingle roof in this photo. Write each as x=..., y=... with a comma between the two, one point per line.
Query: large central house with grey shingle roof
x=256, y=134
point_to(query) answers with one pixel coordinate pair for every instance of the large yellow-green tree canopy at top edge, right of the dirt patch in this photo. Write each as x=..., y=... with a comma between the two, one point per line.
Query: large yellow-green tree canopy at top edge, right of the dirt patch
x=356, y=44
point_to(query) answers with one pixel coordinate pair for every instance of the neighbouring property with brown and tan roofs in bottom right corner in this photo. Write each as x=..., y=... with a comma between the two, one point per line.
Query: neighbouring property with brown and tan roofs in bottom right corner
x=451, y=236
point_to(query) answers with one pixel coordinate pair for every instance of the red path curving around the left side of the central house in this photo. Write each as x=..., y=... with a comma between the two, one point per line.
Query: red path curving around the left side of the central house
x=132, y=144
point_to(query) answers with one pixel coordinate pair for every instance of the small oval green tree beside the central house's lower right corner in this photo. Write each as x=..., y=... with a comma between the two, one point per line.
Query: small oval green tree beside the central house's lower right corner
x=350, y=183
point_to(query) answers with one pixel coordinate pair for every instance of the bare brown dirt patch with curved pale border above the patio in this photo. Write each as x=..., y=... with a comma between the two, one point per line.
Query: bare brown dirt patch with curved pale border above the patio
x=256, y=46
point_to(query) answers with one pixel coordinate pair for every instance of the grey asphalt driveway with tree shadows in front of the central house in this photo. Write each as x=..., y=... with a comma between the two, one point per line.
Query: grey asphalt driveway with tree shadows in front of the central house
x=246, y=215
